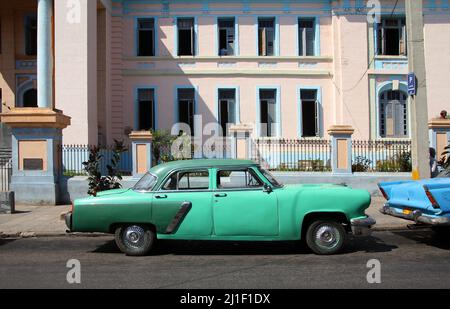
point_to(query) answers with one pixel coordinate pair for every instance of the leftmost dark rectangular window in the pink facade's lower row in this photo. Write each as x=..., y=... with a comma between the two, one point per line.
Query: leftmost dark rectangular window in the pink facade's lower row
x=146, y=109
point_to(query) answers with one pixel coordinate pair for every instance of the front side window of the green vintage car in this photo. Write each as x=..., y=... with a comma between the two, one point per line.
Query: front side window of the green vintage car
x=238, y=179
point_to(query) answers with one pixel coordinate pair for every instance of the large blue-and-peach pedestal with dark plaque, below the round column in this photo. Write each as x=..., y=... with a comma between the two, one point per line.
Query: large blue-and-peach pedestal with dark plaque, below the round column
x=36, y=159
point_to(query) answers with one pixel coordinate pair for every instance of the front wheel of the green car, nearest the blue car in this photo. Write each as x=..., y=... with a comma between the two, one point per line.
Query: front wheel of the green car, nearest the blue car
x=325, y=237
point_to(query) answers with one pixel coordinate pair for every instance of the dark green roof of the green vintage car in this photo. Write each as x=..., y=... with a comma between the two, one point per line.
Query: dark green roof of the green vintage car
x=162, y=169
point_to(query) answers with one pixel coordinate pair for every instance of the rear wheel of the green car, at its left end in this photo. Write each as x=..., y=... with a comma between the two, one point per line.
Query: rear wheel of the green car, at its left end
x=134, y=240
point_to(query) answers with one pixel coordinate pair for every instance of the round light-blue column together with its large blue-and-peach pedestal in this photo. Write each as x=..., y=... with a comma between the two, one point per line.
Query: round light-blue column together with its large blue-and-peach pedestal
x=37, y=132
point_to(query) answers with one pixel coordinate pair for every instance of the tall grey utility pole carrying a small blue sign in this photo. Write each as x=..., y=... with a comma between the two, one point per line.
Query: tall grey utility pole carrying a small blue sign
x=418, y=103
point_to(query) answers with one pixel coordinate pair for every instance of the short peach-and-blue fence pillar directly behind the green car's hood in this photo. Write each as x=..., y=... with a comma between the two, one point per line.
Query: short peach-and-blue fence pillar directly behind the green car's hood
x=341, y=146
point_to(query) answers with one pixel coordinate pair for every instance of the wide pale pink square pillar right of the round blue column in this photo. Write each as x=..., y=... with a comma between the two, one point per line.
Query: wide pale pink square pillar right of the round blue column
x=76, y=69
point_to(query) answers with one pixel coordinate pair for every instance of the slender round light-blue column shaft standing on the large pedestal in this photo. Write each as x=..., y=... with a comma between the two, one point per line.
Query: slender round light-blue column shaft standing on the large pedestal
x=45, y=54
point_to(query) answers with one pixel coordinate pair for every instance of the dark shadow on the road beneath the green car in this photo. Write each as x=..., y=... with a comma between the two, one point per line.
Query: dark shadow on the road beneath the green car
x=197, y=247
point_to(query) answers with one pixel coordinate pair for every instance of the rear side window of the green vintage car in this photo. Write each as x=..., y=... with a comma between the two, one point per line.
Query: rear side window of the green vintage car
x=187, y=180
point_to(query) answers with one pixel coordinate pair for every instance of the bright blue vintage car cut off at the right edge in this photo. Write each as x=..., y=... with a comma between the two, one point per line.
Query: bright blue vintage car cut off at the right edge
x=425, y=201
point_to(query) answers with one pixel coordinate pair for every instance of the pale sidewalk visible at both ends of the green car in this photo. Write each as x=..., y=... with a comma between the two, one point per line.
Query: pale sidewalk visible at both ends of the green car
x=30, y=221
